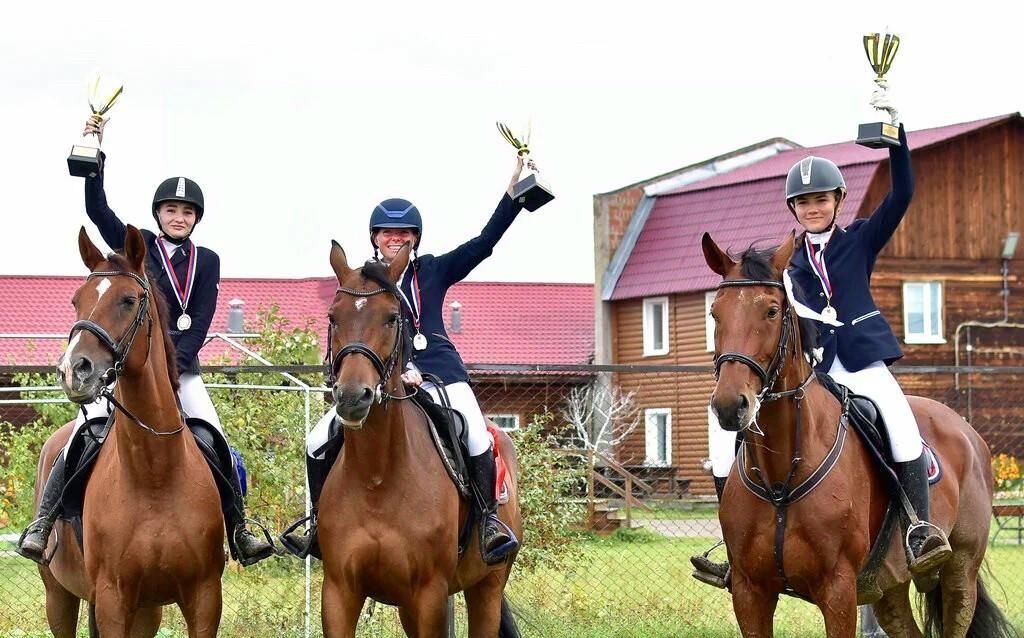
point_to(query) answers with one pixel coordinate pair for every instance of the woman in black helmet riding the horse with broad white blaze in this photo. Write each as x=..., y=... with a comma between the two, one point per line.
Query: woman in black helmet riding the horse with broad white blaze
x=186, y=274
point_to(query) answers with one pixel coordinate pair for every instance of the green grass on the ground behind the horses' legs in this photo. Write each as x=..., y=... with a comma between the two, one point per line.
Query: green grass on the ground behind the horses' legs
x=632, y=585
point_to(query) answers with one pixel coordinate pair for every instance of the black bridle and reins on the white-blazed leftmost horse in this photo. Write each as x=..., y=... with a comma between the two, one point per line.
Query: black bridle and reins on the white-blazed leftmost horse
x=122, y=347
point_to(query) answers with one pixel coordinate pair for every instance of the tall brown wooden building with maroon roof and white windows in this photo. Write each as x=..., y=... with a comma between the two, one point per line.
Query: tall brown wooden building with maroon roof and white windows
x=942, y=282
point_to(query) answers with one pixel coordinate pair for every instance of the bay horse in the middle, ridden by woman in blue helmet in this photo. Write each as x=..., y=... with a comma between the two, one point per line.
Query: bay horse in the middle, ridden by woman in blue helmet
x=390, y=515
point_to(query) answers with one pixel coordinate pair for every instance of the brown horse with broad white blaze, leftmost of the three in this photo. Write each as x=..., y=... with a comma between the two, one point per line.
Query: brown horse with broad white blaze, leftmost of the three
x=153, y=532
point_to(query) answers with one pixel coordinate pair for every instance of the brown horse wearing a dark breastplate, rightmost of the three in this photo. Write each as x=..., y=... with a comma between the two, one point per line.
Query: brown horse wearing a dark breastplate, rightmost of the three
x=818, y=546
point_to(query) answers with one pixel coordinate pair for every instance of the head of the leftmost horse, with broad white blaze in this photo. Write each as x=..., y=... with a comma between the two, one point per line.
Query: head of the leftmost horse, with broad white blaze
x=111, y=309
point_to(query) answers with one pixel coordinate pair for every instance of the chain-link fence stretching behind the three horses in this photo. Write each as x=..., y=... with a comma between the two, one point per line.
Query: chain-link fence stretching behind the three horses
x=621, y=566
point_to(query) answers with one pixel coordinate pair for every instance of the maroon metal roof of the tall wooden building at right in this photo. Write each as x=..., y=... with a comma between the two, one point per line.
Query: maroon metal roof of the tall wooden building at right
x=743, y=207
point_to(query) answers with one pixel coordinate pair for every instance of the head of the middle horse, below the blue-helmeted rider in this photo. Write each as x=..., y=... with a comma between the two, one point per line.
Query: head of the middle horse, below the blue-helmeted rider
x=366, y=333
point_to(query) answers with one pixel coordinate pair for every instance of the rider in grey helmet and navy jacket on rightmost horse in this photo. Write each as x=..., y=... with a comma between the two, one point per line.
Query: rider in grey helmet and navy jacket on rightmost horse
x=835, y=266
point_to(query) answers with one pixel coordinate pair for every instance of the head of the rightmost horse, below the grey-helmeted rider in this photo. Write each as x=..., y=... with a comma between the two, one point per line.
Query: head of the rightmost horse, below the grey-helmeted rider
x=756, y=329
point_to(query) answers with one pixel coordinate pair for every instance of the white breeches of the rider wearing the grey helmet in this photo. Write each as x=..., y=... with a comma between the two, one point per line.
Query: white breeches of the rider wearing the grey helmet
x=875, y=382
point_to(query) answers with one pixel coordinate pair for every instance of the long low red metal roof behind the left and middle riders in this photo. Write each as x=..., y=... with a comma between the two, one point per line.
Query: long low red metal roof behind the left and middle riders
x=502, y=323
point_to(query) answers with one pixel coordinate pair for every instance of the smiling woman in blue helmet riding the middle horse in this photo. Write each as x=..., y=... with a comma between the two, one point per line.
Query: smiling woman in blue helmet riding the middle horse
x=424, y=284
